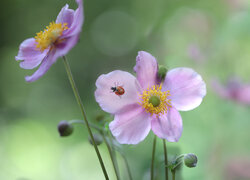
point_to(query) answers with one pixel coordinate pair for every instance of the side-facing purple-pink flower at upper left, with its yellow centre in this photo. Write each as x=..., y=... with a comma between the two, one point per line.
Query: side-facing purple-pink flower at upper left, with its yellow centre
x=55, y=41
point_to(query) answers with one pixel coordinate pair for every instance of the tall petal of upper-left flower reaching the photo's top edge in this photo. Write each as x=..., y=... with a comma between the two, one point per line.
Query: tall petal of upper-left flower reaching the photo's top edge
x=76, y=25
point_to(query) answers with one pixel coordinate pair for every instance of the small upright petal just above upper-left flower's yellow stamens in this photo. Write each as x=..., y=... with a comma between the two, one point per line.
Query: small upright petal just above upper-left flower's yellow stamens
x=66, y=15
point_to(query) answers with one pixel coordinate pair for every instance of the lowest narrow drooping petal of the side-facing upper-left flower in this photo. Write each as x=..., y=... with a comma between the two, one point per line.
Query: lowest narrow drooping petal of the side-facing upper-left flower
x=44, y=67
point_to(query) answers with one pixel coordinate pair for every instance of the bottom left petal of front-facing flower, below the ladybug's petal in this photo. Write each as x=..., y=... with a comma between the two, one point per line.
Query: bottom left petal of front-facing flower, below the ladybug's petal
x=132, y=126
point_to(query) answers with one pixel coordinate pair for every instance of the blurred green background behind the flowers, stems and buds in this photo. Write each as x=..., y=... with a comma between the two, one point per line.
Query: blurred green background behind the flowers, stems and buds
x=113, y=32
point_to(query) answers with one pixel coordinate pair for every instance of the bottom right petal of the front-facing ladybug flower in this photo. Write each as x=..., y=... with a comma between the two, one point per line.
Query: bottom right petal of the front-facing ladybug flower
x=168, y=126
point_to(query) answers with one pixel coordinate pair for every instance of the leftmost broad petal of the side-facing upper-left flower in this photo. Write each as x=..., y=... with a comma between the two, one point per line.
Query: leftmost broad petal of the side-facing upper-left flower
x=31, y=56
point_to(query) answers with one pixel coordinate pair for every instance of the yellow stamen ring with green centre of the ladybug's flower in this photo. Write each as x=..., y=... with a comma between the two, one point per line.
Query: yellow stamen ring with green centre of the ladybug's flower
x=155, y=101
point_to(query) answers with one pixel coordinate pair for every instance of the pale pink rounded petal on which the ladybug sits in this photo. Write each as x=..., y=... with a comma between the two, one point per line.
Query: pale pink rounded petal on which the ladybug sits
x=107, y=99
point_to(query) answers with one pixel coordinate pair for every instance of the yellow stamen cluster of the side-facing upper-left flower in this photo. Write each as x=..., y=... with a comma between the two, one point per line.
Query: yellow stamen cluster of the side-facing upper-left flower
x=50, y=35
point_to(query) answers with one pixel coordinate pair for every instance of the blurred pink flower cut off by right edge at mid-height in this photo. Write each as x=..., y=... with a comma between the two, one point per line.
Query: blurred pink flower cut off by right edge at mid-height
x=234, y=90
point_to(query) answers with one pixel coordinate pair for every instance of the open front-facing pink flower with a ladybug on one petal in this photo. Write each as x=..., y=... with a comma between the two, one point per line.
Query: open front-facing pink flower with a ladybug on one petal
x=142, y=103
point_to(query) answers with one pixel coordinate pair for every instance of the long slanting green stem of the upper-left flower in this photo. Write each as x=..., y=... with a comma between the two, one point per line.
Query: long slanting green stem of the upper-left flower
x=78, y=99
